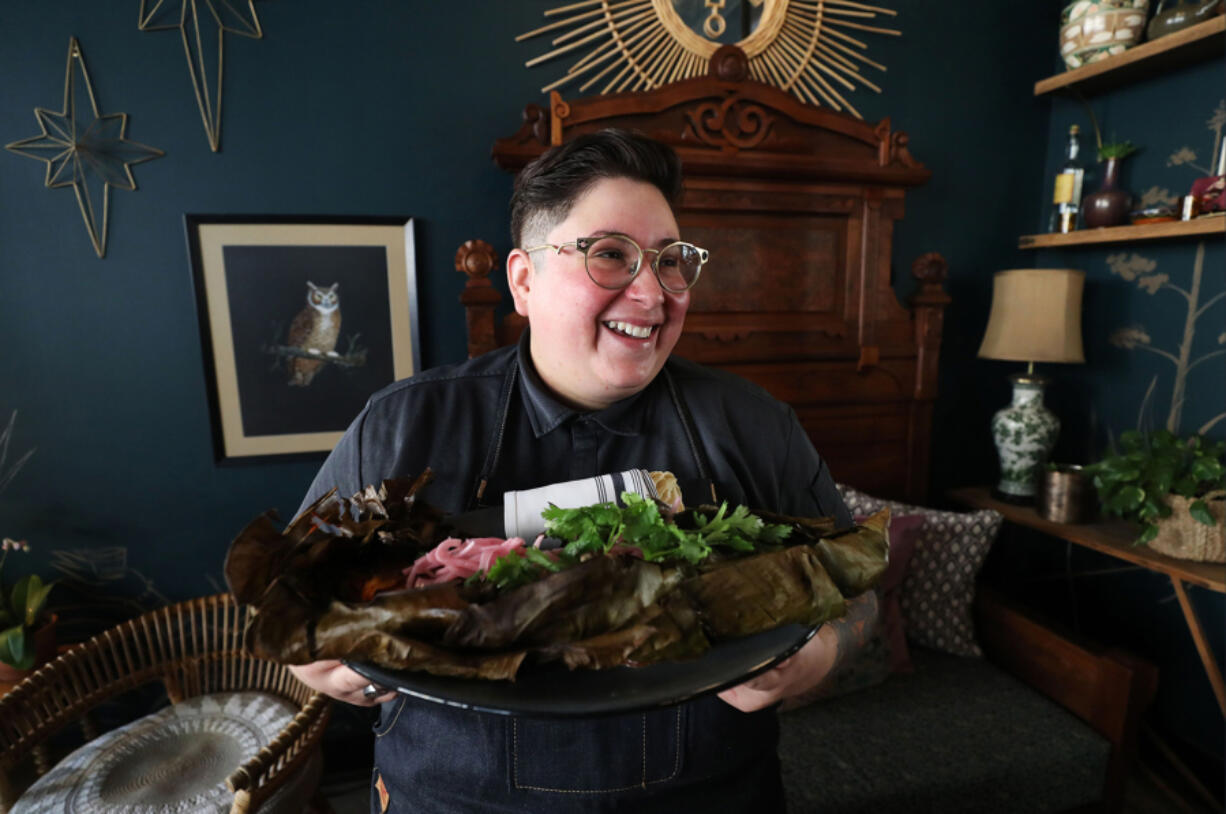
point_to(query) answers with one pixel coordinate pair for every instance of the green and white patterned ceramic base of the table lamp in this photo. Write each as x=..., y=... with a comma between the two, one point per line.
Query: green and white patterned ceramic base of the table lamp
x=1024, y=433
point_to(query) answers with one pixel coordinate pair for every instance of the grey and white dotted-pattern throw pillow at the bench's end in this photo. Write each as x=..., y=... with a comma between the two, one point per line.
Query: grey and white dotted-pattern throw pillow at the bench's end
x=940, y=584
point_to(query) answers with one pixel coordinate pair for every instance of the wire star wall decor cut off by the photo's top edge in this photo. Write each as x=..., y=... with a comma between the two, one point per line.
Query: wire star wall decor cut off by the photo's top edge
x=203, y=26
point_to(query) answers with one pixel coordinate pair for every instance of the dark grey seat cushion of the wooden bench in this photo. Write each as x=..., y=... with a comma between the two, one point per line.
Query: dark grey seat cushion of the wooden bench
x=958, y=735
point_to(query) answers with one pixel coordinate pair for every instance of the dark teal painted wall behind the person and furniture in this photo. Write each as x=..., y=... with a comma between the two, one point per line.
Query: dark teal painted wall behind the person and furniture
x=392, y=108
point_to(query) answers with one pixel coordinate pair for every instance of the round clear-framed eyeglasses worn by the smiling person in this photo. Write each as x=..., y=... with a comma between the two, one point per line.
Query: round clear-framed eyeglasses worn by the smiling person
x=614, y=262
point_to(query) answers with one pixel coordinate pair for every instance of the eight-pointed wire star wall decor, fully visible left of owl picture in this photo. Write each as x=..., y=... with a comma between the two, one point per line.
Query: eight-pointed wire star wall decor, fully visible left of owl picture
x=85, y=150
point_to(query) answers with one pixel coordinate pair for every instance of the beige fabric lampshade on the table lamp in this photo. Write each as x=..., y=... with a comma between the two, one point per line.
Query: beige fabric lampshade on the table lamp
x=1037, y=317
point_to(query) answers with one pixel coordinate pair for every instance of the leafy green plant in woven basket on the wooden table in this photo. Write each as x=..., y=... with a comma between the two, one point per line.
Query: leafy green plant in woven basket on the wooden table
x=1165, y=482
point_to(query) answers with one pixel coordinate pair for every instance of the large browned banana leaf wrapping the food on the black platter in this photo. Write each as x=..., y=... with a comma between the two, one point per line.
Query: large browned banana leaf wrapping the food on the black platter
x=316, y=589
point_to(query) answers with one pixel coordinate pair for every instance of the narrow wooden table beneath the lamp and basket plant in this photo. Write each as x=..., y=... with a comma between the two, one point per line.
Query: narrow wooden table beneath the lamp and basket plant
x=1116, y=540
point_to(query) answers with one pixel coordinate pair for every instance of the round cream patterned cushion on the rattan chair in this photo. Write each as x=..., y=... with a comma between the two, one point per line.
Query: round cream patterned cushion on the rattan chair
x=176, y=759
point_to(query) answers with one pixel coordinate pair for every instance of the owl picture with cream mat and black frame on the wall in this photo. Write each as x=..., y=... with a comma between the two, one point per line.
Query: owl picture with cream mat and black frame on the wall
x=302, y=319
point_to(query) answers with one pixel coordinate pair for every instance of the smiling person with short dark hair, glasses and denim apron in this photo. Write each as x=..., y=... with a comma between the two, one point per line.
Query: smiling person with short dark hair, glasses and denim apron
x=604, y=275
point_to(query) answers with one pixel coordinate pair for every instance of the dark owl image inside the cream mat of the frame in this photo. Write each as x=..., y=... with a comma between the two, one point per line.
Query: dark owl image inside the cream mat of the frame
x=301, y=367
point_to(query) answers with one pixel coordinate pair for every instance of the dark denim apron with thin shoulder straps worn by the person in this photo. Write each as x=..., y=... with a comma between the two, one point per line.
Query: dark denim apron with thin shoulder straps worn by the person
x=698, y=757
